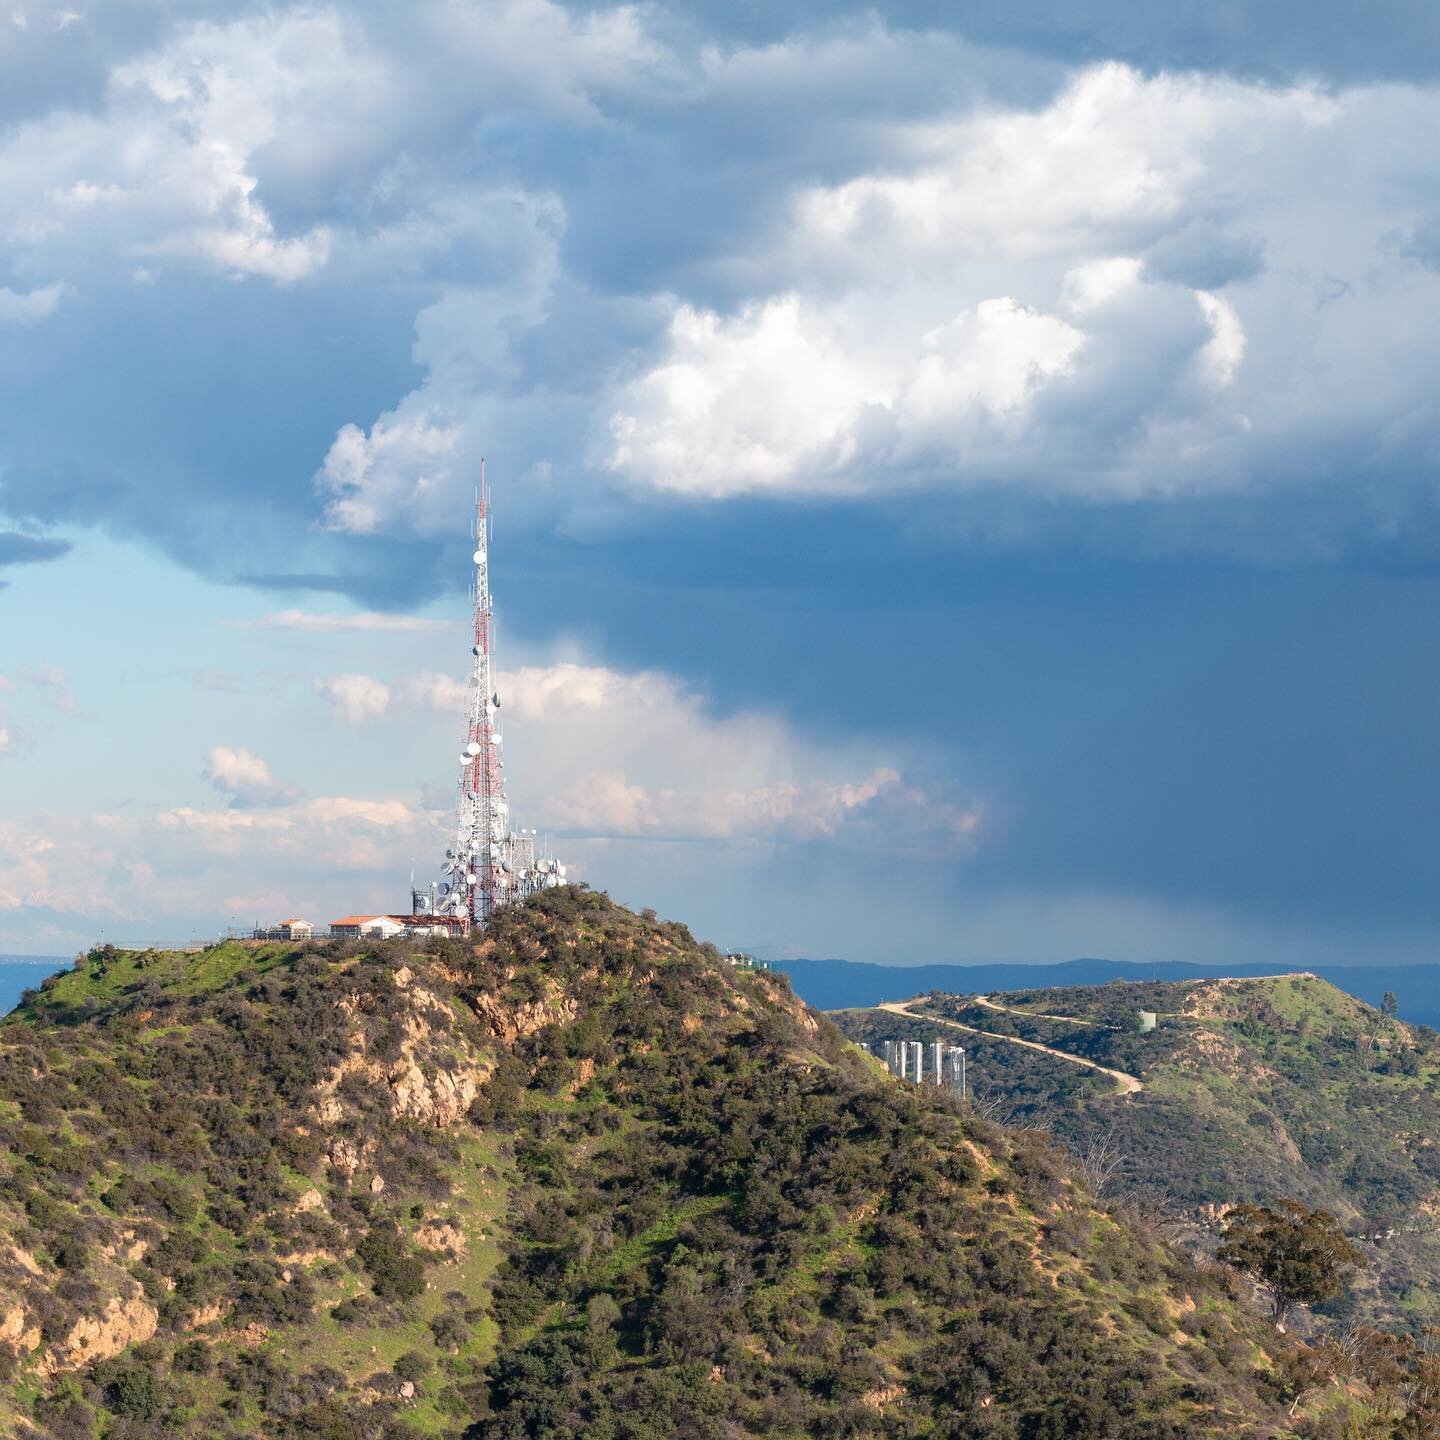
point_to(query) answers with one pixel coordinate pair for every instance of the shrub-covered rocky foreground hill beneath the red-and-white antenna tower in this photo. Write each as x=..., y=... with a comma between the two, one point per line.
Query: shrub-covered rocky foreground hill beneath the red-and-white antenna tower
x=582, y=1179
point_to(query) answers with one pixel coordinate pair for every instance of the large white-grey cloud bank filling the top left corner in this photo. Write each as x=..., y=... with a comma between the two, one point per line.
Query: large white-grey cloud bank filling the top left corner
x=282, y=143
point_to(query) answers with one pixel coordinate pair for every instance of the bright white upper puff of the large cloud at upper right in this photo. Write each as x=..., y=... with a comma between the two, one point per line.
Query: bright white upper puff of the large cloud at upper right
x=1112, y=162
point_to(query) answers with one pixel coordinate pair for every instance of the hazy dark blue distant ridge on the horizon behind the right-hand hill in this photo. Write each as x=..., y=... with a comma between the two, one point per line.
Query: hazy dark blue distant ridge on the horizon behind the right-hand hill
x=843, y=984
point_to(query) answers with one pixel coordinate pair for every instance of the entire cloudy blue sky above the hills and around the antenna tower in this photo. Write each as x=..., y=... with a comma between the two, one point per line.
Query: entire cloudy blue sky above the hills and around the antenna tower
x=966, y=483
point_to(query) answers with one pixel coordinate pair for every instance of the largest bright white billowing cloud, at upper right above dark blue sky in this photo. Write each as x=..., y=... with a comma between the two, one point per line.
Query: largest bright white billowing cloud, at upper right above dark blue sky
x=1148, y=287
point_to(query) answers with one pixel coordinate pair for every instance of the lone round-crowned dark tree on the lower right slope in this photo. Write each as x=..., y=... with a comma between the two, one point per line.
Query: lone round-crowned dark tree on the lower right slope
x=1298, y=1256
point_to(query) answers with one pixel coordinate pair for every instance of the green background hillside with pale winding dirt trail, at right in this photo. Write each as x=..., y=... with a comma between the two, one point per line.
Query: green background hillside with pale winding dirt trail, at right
x=1254, y=1089
